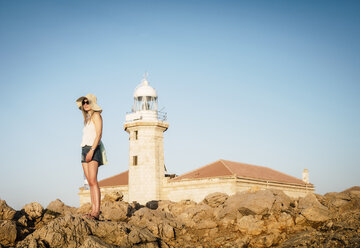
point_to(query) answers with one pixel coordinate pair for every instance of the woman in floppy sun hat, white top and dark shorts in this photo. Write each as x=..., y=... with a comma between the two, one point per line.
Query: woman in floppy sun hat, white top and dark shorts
x=91, y=157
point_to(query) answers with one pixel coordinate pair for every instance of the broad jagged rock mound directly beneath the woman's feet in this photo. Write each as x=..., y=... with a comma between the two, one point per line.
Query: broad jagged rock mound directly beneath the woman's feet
x=71, y=231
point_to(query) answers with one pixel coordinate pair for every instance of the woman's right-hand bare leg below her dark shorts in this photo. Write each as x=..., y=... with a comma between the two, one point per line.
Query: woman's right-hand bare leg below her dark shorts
x=94, y=187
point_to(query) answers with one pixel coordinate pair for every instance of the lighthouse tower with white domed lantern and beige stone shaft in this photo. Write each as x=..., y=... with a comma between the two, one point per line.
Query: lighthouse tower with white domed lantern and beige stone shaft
x=145, y=125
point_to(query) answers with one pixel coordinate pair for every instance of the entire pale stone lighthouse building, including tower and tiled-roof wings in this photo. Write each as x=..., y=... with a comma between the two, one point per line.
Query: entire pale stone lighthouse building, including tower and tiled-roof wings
x=146, y=179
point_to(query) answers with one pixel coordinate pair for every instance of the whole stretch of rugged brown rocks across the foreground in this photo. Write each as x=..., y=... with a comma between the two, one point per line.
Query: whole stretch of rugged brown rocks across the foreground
x=266, y=218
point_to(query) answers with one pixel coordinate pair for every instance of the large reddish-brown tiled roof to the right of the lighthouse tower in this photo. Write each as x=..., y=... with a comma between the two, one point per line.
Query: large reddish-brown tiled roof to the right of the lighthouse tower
x=222, y=168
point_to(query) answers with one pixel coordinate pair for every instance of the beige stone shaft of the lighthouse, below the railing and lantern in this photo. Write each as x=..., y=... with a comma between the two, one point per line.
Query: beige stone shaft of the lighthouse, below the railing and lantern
x=145, y=178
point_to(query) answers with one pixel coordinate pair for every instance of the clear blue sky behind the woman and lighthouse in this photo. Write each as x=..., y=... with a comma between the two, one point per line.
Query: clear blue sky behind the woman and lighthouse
x=272, y=83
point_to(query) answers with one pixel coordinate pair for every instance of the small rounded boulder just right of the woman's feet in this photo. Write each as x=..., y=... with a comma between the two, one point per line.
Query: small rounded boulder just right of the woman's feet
x=113, y=210
